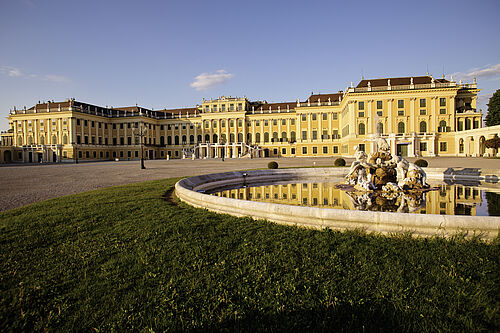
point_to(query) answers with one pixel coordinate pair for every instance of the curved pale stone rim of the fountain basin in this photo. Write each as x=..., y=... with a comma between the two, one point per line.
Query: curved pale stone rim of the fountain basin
x=190, y=190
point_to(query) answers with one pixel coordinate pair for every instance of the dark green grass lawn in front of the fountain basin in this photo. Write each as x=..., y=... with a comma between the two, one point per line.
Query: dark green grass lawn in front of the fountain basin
x=123, y=258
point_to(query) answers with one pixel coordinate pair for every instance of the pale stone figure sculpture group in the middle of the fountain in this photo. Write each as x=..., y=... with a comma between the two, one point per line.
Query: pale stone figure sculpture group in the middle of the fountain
x=382, y=181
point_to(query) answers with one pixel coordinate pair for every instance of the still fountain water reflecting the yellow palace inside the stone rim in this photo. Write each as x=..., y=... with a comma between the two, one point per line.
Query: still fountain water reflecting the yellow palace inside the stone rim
x=446, y=200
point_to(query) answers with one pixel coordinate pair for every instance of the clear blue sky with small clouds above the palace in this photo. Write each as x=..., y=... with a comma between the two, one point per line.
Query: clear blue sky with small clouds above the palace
x=175, y=53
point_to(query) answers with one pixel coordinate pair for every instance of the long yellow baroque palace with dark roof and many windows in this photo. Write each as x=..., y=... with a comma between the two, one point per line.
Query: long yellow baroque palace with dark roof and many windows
x=418, y=116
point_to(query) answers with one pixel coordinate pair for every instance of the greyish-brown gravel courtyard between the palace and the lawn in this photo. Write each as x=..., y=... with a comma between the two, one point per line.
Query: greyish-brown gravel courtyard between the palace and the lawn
x=25, y=184
